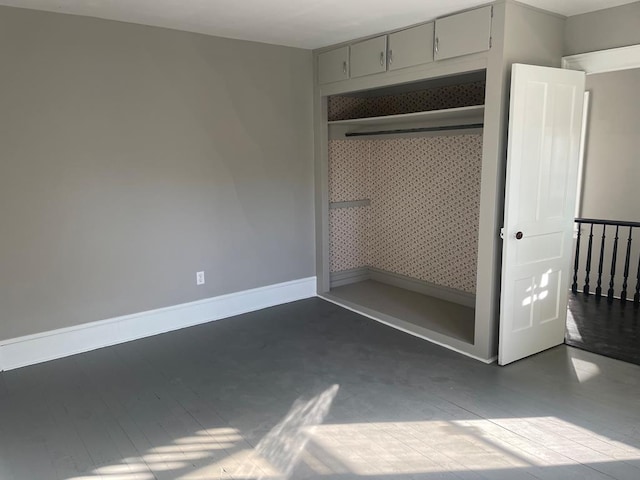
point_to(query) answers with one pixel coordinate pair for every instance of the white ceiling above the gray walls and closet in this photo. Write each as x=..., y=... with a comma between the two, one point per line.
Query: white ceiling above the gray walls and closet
x=297, y=23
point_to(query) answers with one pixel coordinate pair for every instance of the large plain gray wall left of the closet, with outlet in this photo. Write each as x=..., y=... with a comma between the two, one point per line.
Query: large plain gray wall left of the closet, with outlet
x=132, y=157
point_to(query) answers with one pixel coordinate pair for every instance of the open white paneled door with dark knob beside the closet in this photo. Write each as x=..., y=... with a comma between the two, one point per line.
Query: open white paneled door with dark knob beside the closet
x=545, y=122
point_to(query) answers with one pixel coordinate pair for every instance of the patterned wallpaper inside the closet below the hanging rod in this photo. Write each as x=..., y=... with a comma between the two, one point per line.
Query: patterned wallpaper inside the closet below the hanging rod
x=425, y=201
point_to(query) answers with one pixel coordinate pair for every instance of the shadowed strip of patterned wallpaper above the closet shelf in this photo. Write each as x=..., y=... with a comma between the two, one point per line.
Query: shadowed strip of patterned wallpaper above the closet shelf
x=452, y=96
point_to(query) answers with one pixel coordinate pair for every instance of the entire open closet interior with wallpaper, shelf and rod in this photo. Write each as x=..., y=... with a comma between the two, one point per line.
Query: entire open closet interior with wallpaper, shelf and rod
x=404, y=198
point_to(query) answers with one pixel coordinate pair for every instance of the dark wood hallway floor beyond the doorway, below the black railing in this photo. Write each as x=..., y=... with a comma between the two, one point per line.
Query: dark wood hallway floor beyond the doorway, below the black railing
x=611, y=329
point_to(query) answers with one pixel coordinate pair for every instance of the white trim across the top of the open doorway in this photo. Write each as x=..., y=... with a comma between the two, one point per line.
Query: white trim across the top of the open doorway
x=614, y=59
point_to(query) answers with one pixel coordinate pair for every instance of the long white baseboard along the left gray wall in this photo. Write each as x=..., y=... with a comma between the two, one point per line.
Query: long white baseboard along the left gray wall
x=45, y=346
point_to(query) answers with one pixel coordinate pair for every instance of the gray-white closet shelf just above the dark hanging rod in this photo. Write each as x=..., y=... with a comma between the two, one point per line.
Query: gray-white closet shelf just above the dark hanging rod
x=460, y=115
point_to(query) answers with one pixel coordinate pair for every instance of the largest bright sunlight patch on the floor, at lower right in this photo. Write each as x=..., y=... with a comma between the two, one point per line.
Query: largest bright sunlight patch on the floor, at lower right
x=482, y=444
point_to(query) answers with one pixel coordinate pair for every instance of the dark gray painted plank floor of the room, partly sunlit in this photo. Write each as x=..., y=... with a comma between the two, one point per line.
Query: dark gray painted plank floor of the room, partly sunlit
x=310, y=390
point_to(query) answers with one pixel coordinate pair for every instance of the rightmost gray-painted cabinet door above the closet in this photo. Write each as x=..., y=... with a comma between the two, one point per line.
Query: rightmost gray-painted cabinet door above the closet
x=462, y=34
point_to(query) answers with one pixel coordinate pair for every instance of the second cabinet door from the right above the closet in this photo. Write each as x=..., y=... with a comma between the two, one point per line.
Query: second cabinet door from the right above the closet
x=413, y=46
